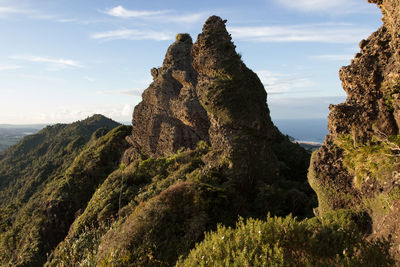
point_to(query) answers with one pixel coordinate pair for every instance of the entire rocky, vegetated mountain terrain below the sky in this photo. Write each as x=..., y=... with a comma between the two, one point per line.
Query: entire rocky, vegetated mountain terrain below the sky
x=203, y=173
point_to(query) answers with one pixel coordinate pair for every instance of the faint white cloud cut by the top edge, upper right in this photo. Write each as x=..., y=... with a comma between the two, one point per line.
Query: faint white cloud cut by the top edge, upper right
x=327, y=6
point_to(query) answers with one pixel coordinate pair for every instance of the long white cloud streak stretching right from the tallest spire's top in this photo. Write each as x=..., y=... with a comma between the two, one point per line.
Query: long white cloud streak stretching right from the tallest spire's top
x=321, y=33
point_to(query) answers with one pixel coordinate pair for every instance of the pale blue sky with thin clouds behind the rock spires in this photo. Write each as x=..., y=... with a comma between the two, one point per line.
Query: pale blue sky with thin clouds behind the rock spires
x=64, y=60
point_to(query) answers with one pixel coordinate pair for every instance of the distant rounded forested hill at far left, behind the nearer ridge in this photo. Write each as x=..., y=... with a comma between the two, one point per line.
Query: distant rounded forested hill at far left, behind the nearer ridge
x=44, y=155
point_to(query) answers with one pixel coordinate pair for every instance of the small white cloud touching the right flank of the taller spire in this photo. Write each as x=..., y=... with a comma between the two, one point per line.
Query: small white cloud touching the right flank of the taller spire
x=276, y=83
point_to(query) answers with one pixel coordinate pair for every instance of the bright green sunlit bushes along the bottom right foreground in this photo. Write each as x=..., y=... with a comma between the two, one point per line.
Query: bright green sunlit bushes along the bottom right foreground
x=336, y=239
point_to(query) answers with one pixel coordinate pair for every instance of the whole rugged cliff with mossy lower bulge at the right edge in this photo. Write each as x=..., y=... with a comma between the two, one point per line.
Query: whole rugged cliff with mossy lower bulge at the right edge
x=358, y=162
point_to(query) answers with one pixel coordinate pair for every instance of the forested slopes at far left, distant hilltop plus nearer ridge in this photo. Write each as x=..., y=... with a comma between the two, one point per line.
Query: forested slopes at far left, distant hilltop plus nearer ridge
x=48, y=177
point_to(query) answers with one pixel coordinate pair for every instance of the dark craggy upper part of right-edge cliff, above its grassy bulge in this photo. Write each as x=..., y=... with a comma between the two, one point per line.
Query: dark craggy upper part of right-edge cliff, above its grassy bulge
x=372, y=82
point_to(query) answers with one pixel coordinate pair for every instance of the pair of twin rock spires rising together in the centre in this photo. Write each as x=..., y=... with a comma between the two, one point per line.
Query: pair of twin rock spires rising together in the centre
x=207, y=93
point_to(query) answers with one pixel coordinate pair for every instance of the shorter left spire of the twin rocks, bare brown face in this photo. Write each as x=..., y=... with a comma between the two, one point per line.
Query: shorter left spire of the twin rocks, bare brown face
x=170, y=116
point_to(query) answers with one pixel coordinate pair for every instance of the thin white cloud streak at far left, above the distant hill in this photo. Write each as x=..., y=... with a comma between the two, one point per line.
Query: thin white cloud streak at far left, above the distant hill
x=54, y=63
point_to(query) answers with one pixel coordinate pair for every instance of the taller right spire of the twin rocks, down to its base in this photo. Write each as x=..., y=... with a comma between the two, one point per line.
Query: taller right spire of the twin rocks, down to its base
x=235, y=100
